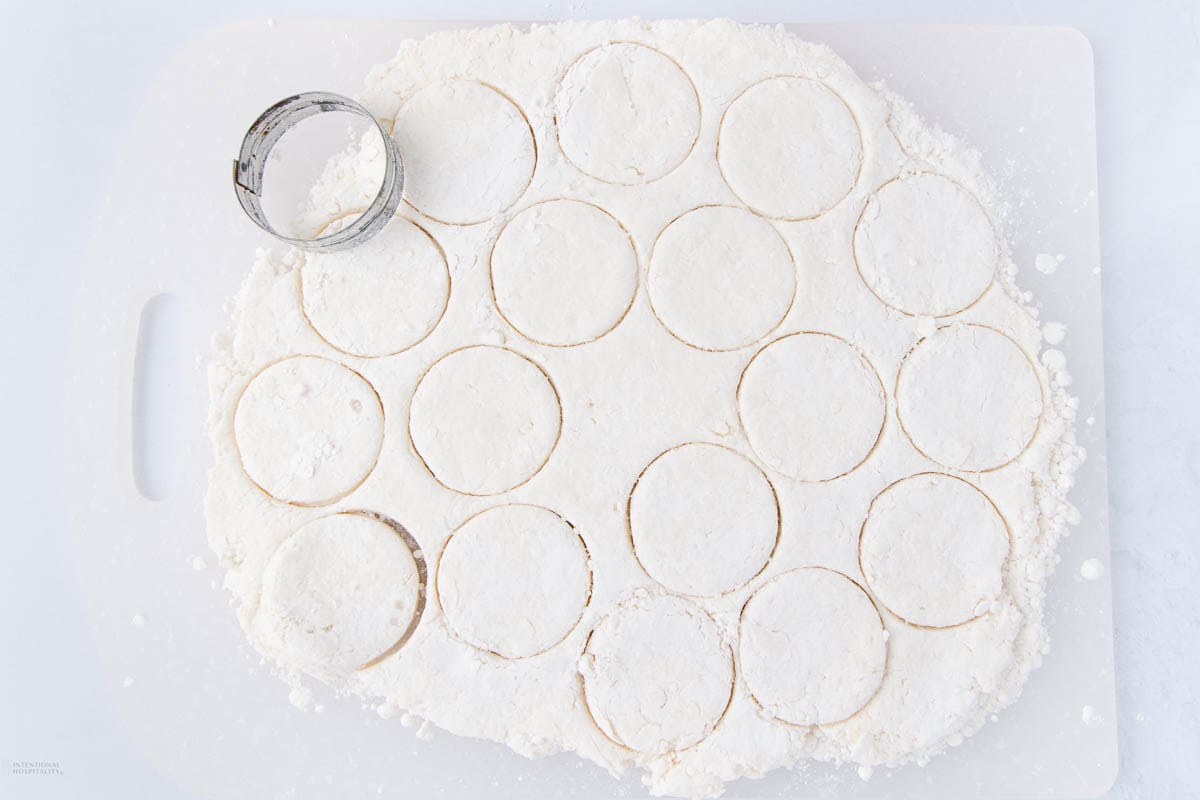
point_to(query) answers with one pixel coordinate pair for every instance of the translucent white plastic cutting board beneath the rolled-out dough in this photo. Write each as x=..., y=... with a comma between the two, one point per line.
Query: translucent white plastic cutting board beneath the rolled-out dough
x=205, y=711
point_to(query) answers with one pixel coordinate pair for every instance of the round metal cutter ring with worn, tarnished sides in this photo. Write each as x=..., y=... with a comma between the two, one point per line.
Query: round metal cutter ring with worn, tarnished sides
x=250, y=167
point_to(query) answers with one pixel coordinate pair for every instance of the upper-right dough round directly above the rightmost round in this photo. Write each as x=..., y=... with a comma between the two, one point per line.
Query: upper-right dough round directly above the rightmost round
x=905, y=257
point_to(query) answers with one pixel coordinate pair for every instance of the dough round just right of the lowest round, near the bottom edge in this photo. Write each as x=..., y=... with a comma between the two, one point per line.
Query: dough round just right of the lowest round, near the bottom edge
x=812, y=645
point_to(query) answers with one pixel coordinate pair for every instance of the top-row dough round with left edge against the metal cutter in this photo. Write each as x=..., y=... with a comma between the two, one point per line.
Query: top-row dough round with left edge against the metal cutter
x=469, y=152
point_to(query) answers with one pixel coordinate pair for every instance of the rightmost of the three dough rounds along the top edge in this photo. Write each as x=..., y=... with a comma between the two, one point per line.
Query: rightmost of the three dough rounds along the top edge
x=790, y=148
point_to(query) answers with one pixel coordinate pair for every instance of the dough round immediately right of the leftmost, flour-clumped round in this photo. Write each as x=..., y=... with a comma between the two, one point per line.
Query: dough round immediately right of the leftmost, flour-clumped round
x=484, y=420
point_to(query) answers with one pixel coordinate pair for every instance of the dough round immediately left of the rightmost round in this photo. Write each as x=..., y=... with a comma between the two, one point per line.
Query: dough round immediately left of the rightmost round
x=812, y=406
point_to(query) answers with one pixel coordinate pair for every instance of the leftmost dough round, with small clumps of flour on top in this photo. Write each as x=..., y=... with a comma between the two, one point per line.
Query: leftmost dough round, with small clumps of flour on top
x=309, y=430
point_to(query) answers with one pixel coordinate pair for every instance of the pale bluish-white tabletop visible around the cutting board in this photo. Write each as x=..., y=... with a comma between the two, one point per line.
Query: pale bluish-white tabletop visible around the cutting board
x=75, y=74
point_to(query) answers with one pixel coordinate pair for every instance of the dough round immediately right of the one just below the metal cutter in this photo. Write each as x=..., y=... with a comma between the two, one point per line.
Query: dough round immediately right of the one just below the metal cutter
x=565, y=273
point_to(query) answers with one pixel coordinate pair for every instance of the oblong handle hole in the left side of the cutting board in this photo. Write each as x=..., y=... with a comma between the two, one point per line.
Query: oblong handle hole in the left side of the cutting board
x=158, y=382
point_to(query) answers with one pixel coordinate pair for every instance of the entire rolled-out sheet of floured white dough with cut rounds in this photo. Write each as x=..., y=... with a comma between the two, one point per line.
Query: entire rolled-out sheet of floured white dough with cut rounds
x=646, y=269
